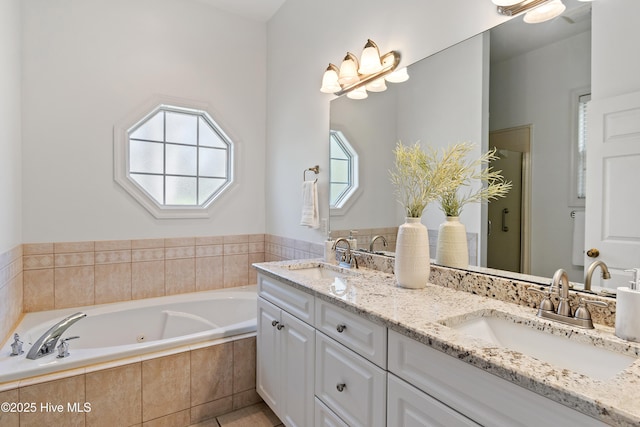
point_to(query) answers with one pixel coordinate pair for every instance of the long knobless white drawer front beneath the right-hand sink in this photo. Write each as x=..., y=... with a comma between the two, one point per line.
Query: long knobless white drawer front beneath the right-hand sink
x=481, y=396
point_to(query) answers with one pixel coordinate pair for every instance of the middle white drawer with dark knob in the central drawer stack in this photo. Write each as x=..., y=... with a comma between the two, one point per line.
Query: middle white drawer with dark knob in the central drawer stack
x=349, y=384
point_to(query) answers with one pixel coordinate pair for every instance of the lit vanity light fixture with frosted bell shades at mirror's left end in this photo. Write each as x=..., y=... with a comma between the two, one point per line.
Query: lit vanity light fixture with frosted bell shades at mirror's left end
x=371, y=73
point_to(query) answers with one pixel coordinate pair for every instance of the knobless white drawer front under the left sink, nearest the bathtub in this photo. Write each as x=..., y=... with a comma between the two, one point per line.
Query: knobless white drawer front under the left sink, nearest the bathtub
x=288, y=298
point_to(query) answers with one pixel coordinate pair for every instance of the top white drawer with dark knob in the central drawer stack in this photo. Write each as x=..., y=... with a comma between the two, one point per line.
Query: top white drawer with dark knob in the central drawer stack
x=366, y=338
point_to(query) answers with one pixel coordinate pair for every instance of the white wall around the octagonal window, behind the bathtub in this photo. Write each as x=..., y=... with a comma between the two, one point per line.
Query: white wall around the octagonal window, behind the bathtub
x=87, y=65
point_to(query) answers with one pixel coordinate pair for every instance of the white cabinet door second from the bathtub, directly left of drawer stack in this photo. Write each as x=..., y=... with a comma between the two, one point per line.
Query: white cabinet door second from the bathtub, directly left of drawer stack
x=297, y=358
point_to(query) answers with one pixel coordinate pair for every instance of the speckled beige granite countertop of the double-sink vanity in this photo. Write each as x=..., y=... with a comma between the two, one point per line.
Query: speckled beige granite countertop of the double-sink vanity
x=422, y=314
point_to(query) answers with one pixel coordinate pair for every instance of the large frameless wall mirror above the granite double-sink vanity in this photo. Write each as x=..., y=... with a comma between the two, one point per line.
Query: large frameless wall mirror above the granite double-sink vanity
x=516, y=80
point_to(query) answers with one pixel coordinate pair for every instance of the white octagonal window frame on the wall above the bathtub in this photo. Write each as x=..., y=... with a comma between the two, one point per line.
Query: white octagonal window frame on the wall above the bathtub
x=122, y=163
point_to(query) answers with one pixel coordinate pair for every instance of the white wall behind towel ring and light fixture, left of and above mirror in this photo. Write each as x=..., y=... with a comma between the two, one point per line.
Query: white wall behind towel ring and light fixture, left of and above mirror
x=306, y=35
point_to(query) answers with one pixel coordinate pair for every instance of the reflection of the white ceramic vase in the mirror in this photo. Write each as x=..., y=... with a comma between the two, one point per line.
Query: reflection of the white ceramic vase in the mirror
x=451, y=250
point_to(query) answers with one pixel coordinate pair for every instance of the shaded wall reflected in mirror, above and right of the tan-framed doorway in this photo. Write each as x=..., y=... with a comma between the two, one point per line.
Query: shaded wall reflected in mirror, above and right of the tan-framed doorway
x=536, y=88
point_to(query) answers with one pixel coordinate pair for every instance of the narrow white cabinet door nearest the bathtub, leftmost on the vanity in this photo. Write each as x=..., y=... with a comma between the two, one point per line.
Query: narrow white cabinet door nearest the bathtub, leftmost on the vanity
x=268, y=343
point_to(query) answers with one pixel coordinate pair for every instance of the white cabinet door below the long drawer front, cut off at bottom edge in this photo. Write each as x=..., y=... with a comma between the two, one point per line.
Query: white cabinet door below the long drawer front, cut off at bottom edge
x=409, y=407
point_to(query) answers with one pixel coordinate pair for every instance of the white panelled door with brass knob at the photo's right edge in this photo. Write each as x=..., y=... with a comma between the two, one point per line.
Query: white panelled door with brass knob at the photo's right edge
x=613, y=185
